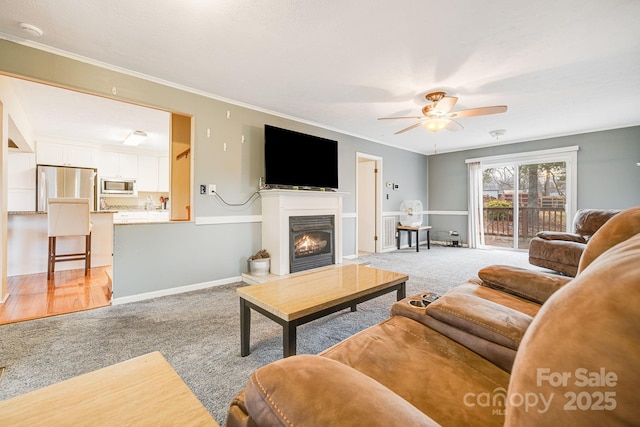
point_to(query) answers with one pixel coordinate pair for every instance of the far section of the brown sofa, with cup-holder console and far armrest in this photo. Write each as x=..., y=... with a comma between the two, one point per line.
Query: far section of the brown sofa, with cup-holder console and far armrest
x=490, y=314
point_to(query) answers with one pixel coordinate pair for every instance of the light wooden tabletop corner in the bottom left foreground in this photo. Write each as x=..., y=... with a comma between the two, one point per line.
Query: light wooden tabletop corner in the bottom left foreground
x=141, y=391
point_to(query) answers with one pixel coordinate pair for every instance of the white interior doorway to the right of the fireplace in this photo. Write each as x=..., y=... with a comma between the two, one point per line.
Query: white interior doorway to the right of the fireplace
x=369, y=203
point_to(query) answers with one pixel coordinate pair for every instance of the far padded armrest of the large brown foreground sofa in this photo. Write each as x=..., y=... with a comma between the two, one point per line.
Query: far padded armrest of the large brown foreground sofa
x=533, y=285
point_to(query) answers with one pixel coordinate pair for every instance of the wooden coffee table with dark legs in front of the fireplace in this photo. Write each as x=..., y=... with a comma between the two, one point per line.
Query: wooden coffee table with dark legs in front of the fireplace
x=297, y=300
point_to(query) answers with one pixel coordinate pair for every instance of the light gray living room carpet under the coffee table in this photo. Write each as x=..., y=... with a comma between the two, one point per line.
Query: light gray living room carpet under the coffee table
x=199, y=332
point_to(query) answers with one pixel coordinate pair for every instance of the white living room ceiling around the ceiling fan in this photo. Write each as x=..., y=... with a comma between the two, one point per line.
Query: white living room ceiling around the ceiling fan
x=561, y=67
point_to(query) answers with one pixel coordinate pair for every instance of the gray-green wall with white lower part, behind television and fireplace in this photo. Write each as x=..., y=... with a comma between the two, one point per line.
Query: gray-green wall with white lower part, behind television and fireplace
x=156, y=257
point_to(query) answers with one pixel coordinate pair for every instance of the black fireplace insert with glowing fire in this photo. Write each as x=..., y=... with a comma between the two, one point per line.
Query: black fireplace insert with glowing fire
x=311, y=241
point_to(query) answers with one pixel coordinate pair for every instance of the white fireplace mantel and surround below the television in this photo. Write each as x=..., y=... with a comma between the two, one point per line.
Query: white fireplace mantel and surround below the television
x=279, y=205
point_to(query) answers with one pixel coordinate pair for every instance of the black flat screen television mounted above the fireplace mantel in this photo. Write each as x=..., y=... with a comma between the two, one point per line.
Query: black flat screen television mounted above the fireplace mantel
x=294, y=159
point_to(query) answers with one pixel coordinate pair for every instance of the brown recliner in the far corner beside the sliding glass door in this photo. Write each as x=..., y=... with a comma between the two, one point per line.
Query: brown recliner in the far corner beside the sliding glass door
x=560, y=251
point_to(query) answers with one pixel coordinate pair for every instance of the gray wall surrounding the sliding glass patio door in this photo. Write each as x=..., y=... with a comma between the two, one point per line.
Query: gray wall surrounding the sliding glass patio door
x=607, y=173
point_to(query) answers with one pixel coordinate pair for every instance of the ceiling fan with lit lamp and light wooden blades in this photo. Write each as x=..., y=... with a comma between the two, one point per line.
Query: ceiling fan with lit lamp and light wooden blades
x=437, y=114
